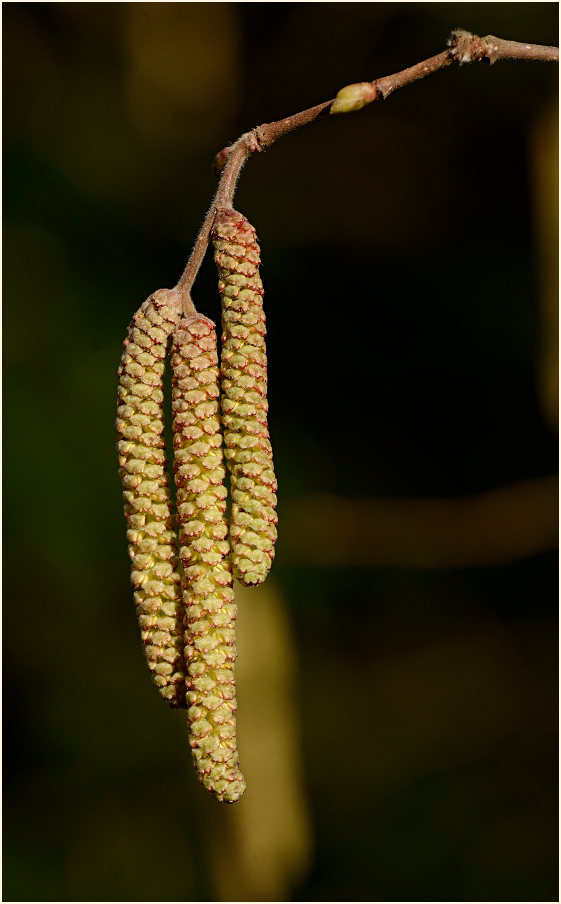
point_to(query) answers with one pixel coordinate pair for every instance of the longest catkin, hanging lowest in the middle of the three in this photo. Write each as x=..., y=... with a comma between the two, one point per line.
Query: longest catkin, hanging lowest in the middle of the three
x=210, y=611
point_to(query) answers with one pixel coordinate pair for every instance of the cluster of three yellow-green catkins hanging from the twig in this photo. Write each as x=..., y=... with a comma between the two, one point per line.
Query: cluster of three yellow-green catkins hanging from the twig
x=184, y=556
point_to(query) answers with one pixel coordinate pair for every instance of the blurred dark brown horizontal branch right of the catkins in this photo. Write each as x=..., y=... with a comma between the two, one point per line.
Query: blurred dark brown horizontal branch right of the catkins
x=489, y=528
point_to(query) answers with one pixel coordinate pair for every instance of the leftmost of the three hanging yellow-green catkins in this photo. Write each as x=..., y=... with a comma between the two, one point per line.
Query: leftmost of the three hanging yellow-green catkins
x=148, y=507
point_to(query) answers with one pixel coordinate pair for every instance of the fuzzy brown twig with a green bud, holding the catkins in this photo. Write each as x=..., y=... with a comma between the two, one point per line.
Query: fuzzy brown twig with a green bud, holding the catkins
x=463, y=47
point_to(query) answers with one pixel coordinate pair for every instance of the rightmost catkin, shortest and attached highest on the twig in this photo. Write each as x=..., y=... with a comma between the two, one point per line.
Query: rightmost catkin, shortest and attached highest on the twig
x=244, y=398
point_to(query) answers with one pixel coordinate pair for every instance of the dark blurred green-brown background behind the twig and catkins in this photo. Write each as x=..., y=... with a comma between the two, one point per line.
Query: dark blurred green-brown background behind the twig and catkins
x=398, y=672
